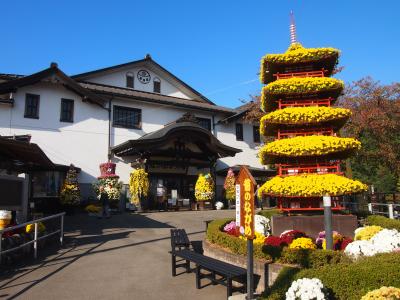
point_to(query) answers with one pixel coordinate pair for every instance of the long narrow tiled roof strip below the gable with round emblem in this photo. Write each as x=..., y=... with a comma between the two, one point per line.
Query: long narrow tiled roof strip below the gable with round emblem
x=154, y=98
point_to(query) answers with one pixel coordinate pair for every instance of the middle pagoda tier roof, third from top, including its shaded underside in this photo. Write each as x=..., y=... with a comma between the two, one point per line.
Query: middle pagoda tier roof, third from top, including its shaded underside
x=307, y=118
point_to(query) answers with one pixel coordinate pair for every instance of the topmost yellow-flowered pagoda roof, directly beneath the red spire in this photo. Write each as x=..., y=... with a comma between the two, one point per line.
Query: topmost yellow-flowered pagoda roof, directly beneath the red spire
x=297, y=59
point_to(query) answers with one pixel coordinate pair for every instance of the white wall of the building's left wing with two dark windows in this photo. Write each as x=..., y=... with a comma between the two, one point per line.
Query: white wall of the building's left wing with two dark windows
x=83, y=142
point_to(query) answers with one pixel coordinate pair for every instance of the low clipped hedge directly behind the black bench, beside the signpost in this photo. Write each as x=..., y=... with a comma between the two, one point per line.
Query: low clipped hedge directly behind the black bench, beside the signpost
x=234, y=244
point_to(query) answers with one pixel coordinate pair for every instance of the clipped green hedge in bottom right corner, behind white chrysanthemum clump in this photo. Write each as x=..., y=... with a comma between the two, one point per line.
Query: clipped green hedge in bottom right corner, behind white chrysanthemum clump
x=347, y=281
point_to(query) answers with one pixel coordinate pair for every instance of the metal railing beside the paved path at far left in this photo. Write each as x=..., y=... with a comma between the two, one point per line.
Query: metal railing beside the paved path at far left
x=36, y=237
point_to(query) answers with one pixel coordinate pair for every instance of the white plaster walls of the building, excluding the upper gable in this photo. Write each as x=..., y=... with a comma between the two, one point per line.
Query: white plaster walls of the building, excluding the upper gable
x=84, y=142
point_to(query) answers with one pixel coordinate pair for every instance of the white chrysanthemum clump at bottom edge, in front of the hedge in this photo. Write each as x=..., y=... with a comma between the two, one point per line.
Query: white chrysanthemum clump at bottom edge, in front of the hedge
x=306, y=289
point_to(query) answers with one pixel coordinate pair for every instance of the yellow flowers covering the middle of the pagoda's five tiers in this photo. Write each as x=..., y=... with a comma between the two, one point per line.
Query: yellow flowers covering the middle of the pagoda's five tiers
x=302, y=116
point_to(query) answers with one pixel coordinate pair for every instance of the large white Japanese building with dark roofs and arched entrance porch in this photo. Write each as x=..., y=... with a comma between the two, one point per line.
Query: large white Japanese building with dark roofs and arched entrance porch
x=88, y=118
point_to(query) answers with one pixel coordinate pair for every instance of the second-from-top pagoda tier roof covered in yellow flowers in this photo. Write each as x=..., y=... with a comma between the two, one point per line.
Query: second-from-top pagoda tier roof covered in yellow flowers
x=300, y=89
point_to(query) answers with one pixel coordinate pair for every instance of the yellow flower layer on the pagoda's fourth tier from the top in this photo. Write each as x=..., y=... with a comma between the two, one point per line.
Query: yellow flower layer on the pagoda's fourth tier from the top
x=314, y=145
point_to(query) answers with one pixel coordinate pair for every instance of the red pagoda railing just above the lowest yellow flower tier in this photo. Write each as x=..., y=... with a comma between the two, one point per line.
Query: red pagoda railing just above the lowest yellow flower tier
x=318, y=168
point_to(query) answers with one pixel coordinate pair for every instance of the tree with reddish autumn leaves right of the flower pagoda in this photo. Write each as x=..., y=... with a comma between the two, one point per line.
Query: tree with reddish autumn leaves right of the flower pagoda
x=376, y=123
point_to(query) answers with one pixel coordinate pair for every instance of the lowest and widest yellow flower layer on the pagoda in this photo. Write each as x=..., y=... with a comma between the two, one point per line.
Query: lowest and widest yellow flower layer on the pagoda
x=311, y=185
